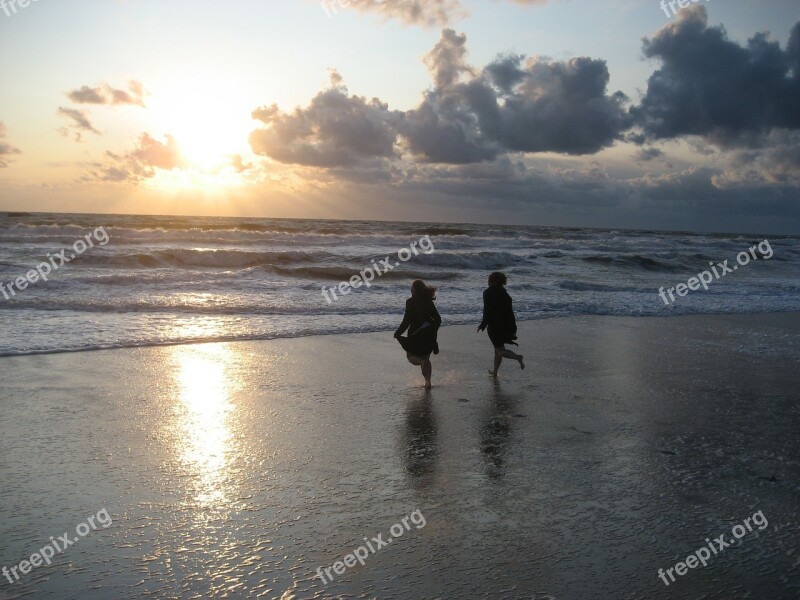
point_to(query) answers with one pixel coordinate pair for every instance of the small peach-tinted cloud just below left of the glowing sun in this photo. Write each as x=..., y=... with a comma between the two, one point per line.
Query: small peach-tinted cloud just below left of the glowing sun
x=140, y=163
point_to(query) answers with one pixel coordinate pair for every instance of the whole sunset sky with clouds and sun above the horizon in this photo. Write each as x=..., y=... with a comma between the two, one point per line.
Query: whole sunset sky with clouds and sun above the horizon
x=585, y=113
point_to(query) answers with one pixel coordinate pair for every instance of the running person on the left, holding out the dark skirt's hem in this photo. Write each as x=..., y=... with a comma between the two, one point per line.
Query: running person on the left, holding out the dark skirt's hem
x=422, y=321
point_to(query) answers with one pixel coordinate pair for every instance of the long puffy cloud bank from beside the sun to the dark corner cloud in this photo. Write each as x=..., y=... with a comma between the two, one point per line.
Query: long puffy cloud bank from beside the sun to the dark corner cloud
x=514, y=105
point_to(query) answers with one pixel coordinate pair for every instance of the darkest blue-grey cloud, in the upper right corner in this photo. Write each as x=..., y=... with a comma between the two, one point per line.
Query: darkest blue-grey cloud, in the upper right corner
x=712, y=87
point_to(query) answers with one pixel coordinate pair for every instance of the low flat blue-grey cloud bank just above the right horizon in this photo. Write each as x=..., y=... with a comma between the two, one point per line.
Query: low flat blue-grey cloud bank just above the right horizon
x=694, y=199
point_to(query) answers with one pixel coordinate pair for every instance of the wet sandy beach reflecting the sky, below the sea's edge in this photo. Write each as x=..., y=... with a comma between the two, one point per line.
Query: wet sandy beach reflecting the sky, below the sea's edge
x=236, y=470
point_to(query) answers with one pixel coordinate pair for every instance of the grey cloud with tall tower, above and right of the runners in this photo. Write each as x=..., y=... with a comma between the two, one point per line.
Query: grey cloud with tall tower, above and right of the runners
x=513, y=105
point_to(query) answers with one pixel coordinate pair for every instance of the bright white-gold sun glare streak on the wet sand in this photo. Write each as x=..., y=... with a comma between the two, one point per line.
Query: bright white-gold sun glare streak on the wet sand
x=205, y=443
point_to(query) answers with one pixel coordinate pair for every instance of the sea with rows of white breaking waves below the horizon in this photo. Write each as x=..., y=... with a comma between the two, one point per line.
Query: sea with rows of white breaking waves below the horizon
x=161, y=280
